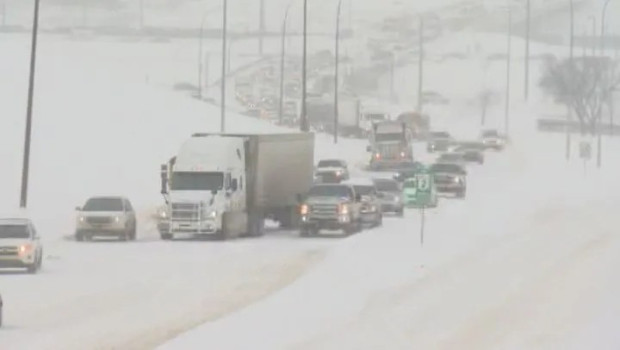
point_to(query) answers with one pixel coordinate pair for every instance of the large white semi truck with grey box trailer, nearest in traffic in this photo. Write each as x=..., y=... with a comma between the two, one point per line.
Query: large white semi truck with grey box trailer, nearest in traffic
x=226, y=185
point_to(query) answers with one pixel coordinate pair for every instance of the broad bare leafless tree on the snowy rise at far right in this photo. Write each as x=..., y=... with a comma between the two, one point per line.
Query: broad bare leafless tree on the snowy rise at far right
x=585, y=86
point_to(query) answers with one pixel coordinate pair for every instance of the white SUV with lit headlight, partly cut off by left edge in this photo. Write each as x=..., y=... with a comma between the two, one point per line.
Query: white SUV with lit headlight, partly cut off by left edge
x=20, y=245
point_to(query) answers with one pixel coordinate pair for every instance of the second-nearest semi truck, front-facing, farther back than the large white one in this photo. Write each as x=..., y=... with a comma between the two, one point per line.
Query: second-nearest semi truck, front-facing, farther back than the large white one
x=390, y=144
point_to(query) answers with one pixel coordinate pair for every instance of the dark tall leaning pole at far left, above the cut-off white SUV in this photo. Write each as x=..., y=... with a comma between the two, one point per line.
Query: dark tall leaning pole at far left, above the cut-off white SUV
x=23, y=202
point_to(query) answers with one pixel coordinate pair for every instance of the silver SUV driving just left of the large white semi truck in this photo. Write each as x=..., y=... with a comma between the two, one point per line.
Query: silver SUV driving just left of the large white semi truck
x=106, y=217
